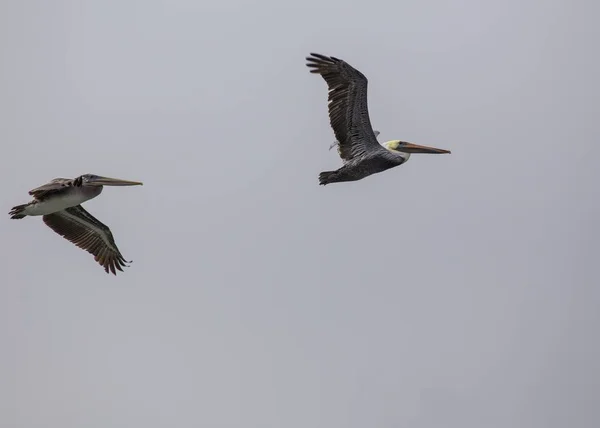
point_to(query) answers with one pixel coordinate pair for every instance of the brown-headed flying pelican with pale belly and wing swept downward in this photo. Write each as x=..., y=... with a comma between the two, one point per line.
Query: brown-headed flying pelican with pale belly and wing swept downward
x=58, y=202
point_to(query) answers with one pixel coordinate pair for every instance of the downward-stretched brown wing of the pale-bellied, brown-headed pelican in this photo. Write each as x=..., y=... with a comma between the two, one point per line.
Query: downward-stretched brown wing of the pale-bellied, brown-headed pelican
x=84, y=230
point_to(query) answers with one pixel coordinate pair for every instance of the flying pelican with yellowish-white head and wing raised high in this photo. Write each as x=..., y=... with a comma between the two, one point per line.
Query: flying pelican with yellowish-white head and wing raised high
x=349, y=117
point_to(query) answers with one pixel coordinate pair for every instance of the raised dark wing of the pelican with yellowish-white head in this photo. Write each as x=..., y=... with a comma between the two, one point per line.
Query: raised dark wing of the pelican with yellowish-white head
x=348, y=111
